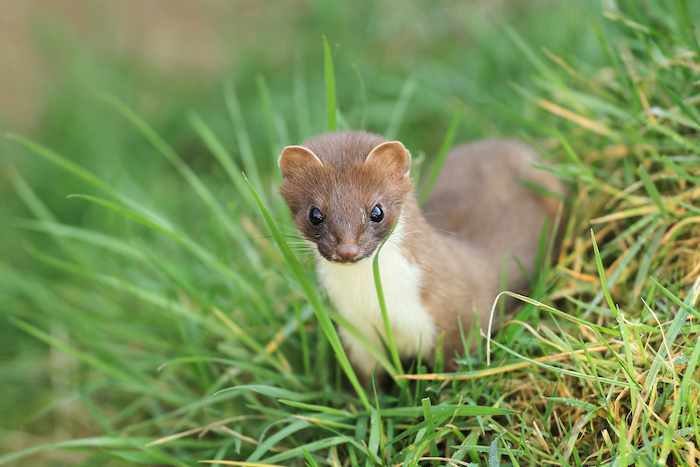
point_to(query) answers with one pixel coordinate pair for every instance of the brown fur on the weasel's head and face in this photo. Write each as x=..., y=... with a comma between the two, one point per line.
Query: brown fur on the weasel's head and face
x=342, y=187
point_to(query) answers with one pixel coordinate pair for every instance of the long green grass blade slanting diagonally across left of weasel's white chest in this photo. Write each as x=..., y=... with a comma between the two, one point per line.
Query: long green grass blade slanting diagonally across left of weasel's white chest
x=312, y=296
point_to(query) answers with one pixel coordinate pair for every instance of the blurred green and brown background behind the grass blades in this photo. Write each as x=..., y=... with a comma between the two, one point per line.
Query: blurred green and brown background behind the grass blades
x=166, y=58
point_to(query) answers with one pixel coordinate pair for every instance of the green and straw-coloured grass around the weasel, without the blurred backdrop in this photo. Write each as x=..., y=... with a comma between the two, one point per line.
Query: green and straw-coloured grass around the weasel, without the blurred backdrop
x=202, y=343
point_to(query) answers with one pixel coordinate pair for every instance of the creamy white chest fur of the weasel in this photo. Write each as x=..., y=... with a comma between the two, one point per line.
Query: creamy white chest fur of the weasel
x=353, y=294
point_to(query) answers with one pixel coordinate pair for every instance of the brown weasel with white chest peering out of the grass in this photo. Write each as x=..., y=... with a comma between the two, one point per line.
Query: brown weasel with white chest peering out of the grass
x=347, y=190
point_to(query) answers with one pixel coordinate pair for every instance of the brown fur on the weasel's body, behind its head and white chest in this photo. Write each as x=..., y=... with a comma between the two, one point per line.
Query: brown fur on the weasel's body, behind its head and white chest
x=479, y=204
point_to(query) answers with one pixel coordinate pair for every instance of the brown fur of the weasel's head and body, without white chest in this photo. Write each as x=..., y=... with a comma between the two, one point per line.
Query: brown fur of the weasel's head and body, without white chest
x=477, y=212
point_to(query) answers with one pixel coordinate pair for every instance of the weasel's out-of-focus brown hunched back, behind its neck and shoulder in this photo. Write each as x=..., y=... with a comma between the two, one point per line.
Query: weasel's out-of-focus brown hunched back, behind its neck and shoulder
x=479, y=197
